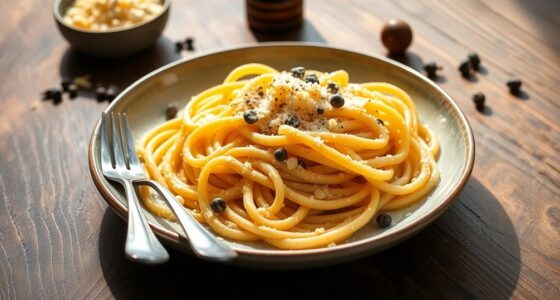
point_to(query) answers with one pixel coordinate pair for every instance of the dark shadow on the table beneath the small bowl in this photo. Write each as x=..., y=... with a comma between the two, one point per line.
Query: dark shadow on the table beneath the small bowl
x=120, y=72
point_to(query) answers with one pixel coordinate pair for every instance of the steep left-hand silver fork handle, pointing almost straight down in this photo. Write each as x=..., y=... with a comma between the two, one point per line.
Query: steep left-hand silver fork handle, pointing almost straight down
x=141, y=243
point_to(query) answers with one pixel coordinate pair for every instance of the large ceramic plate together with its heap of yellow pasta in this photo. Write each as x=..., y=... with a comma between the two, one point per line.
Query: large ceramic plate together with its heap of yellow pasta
x=294, y=154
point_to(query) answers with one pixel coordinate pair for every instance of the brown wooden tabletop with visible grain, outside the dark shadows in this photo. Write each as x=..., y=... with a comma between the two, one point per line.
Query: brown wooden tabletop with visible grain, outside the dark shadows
x=500, y=239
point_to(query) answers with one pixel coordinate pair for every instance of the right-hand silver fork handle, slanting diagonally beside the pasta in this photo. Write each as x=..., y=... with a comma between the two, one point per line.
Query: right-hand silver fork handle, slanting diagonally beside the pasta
x=203, y=243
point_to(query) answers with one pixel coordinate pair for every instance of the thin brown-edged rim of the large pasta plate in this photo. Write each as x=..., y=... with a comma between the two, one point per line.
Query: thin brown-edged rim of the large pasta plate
x=405, y=231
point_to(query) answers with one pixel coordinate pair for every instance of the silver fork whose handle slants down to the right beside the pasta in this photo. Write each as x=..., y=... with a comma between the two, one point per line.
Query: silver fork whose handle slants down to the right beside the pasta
x=202, y=242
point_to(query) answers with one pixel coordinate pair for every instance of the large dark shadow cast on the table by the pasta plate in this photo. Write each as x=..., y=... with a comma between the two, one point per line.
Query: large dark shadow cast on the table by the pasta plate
x=471, y=251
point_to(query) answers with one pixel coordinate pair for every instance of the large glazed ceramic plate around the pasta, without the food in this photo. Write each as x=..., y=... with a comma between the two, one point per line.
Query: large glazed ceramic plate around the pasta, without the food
x=145, y=102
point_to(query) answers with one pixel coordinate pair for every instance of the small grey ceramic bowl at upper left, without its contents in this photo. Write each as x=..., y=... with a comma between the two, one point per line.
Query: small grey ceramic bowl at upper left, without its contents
x=117, y=42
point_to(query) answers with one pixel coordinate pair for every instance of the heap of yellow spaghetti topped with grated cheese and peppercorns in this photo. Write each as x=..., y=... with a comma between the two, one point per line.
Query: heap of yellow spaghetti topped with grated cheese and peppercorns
x=340, y=163
